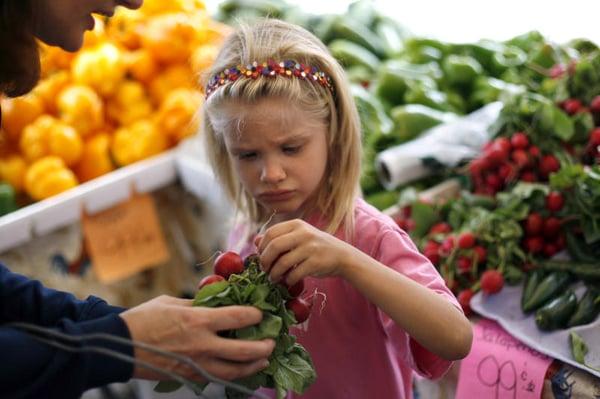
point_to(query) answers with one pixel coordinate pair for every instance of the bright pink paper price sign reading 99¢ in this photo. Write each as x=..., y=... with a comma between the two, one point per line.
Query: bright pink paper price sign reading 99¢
x=500, y=367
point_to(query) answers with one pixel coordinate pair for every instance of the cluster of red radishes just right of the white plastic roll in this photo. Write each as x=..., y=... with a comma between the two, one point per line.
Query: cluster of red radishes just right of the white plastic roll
x=508, y=159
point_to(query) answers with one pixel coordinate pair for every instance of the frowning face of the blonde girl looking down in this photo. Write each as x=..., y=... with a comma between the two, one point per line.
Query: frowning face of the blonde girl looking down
x=280, y=155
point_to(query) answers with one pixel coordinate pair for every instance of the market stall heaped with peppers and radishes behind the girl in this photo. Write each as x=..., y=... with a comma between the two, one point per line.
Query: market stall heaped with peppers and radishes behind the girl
x=485, y=152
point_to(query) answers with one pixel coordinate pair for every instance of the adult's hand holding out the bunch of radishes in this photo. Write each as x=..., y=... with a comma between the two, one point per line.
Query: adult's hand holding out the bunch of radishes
x=172, y=324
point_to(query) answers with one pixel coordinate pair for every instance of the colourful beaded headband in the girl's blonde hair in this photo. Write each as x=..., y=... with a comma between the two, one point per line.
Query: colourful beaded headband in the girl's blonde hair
x=288, y=68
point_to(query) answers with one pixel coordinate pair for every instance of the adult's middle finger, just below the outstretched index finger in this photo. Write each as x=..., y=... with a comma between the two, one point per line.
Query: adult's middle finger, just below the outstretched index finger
x=242, y=350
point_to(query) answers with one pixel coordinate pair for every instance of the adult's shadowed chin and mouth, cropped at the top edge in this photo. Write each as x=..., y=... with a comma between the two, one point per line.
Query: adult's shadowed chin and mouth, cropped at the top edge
x=62, y=23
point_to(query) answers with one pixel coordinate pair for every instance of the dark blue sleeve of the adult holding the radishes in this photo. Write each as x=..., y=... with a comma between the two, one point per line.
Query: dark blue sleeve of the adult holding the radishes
x=31, y=369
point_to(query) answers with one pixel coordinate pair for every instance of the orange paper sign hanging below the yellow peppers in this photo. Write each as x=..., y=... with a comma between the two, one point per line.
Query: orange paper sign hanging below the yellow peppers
x=125, y=239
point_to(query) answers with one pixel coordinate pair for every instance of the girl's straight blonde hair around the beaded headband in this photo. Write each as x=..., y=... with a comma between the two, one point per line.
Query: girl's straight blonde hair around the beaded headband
x=276, y=40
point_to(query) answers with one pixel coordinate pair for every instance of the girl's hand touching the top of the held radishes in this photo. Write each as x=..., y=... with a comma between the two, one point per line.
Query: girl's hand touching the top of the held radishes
x=302, y=250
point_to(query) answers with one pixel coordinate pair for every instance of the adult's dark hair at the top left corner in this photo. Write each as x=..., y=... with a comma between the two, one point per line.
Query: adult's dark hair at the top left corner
x=19, y=55
